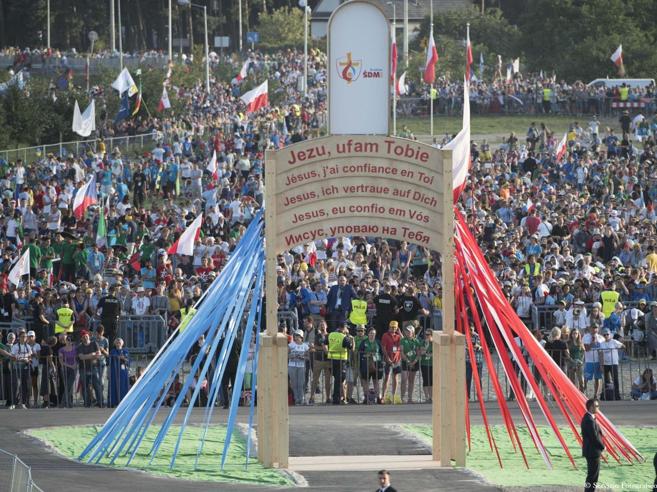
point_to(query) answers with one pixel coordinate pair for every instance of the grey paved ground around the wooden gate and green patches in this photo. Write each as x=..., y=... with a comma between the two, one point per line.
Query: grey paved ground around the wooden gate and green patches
x=314, y=431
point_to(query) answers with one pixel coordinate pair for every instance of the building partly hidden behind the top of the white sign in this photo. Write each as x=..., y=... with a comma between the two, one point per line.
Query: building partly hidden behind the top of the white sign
x=417, y=10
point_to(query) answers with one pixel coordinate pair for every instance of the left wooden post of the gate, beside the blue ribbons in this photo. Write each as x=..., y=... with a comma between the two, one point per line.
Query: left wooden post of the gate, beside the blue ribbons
x=273, y=418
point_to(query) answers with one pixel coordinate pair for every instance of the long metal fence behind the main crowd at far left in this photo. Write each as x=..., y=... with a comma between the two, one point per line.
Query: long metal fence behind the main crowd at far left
x=63, y=149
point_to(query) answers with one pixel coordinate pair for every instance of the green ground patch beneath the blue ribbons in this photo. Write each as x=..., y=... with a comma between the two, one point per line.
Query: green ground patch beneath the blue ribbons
x=71, y=441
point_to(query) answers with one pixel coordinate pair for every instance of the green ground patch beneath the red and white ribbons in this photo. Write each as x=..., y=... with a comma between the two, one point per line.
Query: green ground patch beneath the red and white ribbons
x=617, y=477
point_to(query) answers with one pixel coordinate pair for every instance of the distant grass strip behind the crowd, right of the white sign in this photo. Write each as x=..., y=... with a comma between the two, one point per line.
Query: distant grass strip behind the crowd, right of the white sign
x=494, y=127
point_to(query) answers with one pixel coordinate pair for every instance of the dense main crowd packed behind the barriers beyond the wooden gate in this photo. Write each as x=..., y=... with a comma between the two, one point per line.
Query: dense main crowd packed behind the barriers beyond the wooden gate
x=561, y=236
